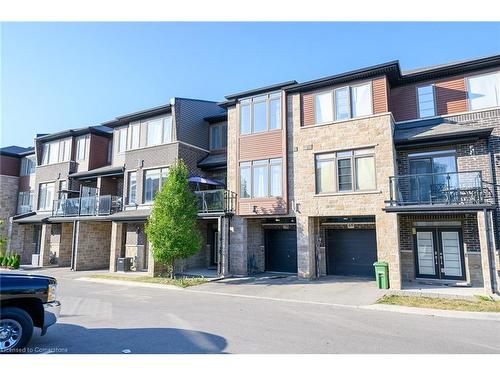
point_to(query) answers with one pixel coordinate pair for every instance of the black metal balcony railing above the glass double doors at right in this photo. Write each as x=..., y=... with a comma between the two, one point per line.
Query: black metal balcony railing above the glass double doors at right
x=455, y=188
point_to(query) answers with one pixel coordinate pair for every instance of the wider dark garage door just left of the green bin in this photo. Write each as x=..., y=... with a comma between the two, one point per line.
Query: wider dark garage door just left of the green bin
x=351, y=252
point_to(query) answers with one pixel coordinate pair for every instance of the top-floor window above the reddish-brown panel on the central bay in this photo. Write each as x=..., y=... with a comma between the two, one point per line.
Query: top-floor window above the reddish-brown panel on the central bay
x=260, y=113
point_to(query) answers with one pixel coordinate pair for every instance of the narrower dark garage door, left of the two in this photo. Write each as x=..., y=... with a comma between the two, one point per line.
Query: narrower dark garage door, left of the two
x=281, y=250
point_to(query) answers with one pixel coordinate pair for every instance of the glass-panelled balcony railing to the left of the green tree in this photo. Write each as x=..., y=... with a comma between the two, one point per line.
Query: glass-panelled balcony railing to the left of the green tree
x=96, y=205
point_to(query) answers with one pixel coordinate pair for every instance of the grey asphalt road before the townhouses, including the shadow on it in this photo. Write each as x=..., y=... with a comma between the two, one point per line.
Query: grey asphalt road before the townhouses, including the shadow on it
x=100, y=318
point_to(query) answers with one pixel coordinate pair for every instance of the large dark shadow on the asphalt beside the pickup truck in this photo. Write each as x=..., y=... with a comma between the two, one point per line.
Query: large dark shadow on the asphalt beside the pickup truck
x=74, y=339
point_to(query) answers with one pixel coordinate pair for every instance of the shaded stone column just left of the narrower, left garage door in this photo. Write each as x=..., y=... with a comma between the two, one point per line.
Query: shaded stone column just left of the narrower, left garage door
x=238, y=249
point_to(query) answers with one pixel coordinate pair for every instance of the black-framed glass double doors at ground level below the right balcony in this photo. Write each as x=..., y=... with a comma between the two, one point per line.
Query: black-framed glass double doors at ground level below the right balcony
x=439, y=253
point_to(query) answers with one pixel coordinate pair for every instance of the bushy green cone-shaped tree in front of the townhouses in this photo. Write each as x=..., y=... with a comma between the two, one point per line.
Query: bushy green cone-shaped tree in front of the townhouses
x=172, y=228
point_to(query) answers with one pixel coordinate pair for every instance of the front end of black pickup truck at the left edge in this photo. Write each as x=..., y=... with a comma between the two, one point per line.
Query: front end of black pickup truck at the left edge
x=26, y=301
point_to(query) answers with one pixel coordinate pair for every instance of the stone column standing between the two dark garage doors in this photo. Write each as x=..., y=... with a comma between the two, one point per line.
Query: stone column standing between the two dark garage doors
x=305, y=247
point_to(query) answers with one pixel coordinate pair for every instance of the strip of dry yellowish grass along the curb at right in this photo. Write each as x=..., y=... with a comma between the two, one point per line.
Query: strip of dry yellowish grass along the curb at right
x=480, y=303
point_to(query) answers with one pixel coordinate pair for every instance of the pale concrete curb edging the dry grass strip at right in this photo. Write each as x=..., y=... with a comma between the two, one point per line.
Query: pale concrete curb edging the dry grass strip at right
x=435, y=312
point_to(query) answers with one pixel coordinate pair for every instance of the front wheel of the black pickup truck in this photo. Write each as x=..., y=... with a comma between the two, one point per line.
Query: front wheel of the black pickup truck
x=16, y=329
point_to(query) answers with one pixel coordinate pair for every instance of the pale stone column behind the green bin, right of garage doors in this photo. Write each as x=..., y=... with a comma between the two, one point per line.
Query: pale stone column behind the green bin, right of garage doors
x=387, y=228
